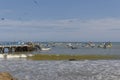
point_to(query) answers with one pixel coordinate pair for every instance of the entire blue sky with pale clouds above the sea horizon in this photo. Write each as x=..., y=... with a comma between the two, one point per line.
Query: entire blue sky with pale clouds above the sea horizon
x=60, y=20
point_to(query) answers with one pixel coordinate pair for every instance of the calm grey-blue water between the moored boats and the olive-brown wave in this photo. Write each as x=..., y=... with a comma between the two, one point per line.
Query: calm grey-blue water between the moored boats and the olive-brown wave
x=60, y=48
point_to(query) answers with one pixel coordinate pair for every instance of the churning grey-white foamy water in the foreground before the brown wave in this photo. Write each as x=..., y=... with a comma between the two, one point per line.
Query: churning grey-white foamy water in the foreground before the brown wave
x=62, y=70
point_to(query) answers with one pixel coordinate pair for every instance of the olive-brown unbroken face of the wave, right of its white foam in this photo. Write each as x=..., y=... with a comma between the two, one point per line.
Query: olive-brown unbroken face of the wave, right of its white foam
x=72, y=57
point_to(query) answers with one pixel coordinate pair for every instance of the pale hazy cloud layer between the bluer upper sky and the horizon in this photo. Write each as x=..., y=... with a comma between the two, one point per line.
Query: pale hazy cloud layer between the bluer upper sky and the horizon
x=74, y=29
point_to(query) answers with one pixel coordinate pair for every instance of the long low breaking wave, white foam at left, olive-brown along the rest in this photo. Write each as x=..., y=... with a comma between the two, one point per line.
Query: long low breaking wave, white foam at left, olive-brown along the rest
x=70, y=57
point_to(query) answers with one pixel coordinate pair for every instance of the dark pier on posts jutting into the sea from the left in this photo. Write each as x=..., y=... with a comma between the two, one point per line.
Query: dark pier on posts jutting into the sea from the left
x=18, y=48
